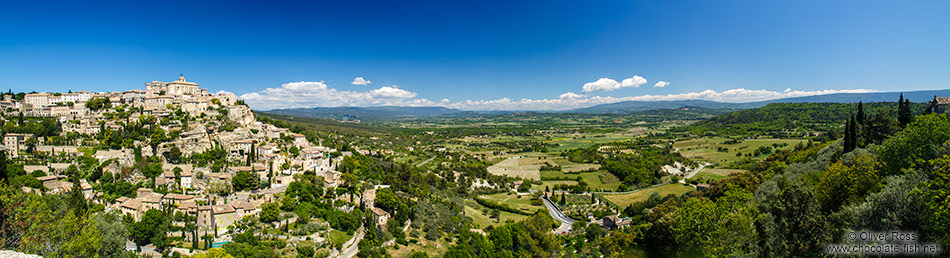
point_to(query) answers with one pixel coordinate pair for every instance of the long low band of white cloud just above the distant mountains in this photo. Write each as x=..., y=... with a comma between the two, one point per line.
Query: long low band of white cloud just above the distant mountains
x=319, y=94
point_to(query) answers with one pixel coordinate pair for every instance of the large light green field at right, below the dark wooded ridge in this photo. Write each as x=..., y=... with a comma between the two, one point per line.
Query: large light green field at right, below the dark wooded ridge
x=706, y=149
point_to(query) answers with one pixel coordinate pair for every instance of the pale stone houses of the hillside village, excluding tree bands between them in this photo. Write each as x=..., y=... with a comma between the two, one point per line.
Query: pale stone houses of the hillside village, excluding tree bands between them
x=274, y=154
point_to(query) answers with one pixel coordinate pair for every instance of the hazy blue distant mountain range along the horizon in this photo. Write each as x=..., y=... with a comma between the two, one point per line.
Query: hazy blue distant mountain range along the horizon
x=397, y=112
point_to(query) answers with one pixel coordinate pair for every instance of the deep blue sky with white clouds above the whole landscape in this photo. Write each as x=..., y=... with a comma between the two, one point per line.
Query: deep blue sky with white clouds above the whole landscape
x=479, y=54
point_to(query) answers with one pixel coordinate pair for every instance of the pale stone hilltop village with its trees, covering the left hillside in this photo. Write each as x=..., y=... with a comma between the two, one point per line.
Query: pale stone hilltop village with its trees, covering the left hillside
x=173, y=147
